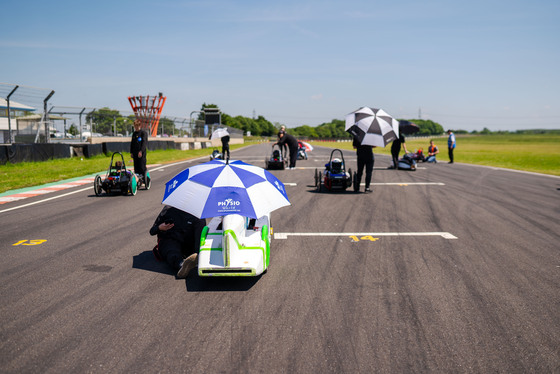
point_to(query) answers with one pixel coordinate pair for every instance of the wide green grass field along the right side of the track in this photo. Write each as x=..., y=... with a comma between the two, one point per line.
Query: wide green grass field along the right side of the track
x=539, y=153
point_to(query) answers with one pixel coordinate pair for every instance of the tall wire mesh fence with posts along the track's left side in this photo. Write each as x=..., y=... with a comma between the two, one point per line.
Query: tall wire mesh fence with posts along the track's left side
x=26, y=116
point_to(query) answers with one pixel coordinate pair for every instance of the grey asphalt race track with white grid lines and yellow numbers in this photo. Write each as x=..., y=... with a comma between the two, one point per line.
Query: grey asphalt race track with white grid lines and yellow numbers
x=450, y=268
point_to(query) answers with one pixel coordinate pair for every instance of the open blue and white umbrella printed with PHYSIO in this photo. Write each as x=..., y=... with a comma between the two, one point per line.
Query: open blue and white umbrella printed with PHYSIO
x=219, y=188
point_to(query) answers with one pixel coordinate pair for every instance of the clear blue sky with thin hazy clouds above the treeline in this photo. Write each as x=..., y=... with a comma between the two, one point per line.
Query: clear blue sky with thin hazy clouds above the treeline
x=464, y=64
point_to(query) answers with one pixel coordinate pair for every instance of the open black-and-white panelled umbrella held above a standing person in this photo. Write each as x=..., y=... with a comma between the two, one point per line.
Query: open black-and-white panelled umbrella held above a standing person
x=372, y=126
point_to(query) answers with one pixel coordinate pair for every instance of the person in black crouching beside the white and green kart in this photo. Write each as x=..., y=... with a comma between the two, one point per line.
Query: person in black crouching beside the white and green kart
x=178, y=235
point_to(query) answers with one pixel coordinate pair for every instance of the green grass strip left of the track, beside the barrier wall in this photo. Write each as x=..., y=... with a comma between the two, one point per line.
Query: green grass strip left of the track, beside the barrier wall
x=28, y=174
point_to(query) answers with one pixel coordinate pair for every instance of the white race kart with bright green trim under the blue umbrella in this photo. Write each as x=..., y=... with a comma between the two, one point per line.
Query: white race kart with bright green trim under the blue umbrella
x=235, y=246
